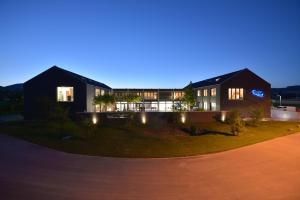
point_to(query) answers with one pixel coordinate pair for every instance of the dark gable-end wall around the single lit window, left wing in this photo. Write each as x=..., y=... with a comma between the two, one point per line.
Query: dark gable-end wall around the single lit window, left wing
x=45, y=86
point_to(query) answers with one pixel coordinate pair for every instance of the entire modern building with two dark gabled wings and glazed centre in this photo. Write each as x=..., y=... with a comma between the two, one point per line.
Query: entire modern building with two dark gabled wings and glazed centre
x=237, y=90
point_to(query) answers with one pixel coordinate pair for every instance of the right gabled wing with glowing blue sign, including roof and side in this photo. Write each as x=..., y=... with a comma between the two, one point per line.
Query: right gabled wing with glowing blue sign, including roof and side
x=241, y=90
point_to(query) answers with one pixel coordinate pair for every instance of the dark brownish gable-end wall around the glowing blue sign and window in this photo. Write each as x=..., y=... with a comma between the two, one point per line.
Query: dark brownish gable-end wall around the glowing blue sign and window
x=248, y=81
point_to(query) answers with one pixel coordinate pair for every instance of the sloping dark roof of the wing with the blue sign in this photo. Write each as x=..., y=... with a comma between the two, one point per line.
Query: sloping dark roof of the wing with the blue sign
x=216, y=80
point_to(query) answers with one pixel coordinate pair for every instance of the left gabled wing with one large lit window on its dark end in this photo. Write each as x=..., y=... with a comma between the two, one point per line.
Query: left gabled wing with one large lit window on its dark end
x=44, y=87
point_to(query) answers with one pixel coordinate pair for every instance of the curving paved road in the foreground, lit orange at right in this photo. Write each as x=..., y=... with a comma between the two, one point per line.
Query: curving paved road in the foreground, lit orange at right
x=269, y=170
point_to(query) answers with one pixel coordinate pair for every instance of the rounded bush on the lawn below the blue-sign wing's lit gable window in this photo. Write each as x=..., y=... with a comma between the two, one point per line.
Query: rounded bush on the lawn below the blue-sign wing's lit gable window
x=235, y=122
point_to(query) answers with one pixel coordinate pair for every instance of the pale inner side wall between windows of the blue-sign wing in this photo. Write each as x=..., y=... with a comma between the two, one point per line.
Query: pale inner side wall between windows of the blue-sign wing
x=209, y=99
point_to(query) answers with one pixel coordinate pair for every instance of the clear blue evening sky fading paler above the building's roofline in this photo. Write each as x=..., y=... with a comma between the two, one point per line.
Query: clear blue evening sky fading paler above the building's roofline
x=126, y=43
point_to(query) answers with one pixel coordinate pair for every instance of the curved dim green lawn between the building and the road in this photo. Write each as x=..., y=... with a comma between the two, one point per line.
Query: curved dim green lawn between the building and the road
x=145, y=142
